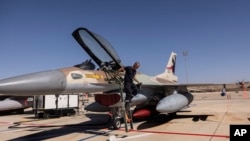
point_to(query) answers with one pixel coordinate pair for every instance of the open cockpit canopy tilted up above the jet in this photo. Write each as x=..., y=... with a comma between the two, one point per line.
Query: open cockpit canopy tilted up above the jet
x=98, y=48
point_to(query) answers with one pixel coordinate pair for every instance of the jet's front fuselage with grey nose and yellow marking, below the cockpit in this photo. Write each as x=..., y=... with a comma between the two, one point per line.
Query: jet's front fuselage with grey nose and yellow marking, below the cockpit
x=60, y=81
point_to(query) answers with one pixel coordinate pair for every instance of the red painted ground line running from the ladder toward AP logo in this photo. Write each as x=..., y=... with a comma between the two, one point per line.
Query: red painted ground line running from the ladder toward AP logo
x=178, y=133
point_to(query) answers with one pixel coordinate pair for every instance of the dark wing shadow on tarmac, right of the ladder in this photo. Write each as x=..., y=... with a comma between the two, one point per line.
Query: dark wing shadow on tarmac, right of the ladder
x=163, y=118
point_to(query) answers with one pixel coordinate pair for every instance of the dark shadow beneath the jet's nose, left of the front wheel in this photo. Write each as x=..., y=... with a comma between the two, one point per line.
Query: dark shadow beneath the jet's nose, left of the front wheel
x=93, y=126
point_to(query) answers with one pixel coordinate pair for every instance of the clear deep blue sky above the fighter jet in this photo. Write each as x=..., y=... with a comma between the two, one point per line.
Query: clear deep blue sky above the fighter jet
x=36, y=35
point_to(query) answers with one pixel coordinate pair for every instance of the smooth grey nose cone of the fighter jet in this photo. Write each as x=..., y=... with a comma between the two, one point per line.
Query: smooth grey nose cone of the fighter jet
x=35, y=83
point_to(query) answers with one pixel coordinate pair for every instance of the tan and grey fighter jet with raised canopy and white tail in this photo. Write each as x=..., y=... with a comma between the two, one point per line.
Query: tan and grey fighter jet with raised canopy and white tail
x=158, y=94
